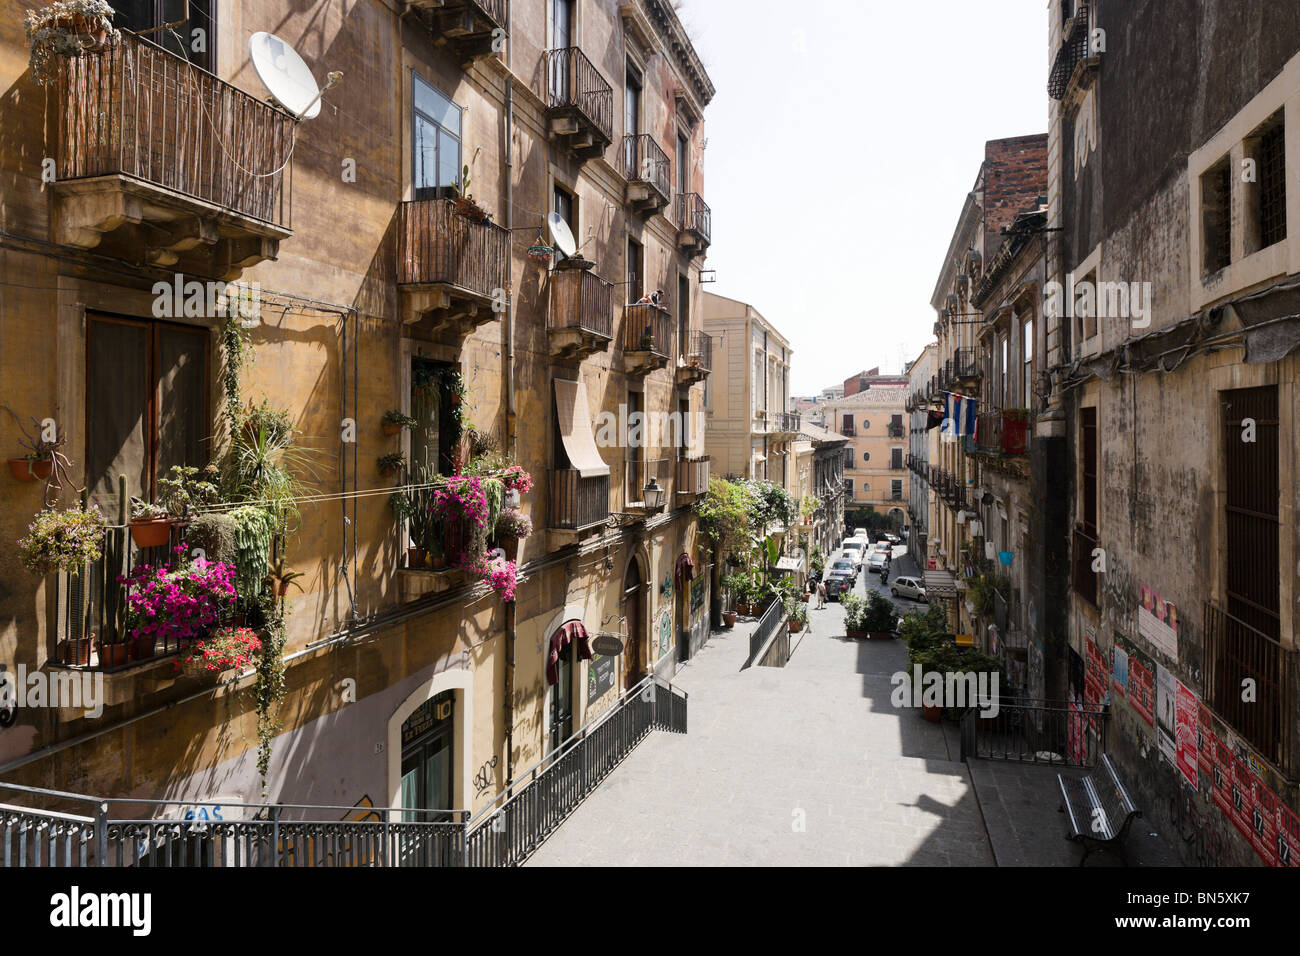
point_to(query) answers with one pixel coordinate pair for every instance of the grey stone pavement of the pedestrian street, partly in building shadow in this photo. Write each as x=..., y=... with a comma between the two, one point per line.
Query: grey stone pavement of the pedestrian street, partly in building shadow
x=805, y=765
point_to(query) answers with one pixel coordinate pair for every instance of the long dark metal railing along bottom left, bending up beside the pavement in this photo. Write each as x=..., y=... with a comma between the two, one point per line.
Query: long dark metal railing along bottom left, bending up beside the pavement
x=80, y=830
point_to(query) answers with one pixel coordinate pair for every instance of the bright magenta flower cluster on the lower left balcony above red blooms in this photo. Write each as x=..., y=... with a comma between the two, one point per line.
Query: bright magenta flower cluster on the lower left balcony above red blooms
x=179, y=605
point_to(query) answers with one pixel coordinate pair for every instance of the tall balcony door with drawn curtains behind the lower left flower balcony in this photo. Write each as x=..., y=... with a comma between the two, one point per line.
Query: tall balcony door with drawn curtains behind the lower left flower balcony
x=146, y=405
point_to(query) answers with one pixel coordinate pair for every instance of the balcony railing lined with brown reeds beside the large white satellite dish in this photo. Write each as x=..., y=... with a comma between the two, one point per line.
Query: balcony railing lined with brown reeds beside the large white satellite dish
x=141, y=111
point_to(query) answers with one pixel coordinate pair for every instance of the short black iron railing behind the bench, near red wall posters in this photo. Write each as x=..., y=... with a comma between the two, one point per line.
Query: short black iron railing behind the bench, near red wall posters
x=1037, y=732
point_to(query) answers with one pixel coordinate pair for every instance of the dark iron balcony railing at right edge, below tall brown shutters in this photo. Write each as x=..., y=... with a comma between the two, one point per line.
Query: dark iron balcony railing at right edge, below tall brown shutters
x=1236, y=654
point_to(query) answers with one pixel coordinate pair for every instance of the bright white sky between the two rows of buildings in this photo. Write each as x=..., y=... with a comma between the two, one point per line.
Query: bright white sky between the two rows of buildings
x=837, y=175
